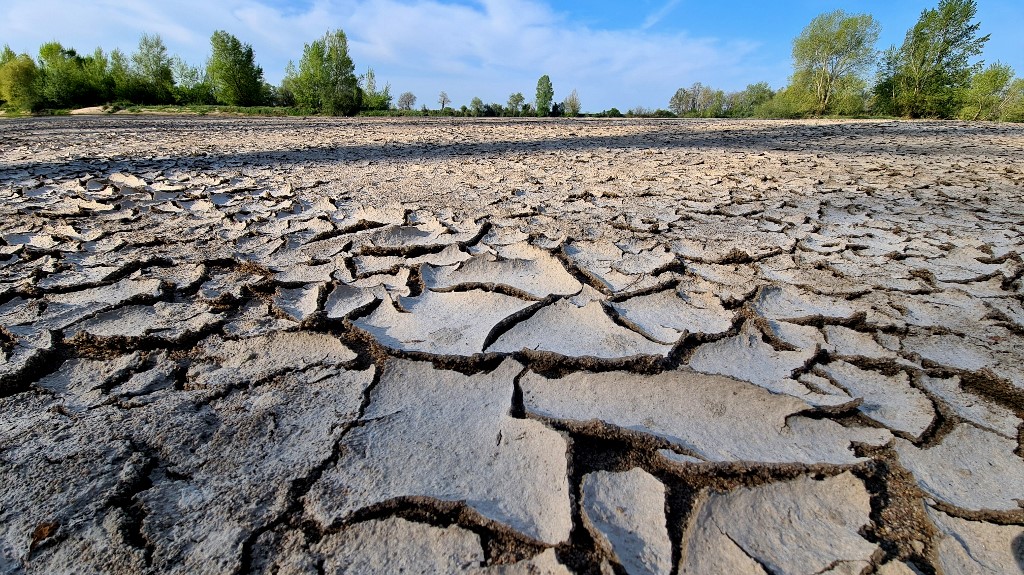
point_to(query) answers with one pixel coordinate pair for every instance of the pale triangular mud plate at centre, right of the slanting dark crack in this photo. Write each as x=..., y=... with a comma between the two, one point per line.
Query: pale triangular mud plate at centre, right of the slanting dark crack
x=568, y=330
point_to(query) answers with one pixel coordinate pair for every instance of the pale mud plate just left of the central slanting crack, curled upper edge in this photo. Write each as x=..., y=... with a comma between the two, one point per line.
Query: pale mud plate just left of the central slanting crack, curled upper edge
x=442, y=324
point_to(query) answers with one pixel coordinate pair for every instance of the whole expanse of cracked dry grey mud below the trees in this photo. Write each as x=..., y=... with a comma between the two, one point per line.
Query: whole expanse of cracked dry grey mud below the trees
x=373, y=346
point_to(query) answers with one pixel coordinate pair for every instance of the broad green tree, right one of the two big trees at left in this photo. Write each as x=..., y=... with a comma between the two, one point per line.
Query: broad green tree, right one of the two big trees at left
x=325, y=81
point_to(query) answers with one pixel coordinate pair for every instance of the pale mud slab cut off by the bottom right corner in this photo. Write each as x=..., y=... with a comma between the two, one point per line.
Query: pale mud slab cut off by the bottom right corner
x=975, y=547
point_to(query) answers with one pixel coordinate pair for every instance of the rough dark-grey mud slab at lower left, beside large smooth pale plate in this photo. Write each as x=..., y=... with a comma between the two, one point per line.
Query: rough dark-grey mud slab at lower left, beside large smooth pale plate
x=255, y=446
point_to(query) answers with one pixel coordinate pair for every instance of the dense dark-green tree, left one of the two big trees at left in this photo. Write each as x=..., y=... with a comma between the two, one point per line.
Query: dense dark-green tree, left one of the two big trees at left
x=233, y=71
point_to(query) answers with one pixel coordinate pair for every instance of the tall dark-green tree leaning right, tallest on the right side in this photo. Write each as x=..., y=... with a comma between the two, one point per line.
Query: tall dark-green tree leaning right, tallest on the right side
x=928, y=73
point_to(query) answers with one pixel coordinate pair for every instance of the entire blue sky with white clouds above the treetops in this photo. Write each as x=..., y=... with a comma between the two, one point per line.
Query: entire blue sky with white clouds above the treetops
x=615, y=54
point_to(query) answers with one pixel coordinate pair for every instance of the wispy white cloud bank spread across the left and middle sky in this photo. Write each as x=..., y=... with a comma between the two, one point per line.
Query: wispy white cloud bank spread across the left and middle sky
x=490, y=49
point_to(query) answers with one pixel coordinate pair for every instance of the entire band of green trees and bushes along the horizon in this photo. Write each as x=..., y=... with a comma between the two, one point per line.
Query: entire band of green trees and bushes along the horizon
x=837, y=71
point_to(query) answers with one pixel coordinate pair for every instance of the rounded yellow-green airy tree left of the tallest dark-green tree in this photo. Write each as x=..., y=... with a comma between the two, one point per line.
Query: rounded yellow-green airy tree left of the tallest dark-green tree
x=833, y=53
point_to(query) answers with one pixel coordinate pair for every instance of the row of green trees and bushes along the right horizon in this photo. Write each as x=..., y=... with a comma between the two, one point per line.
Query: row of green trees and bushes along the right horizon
x=933, y=74
